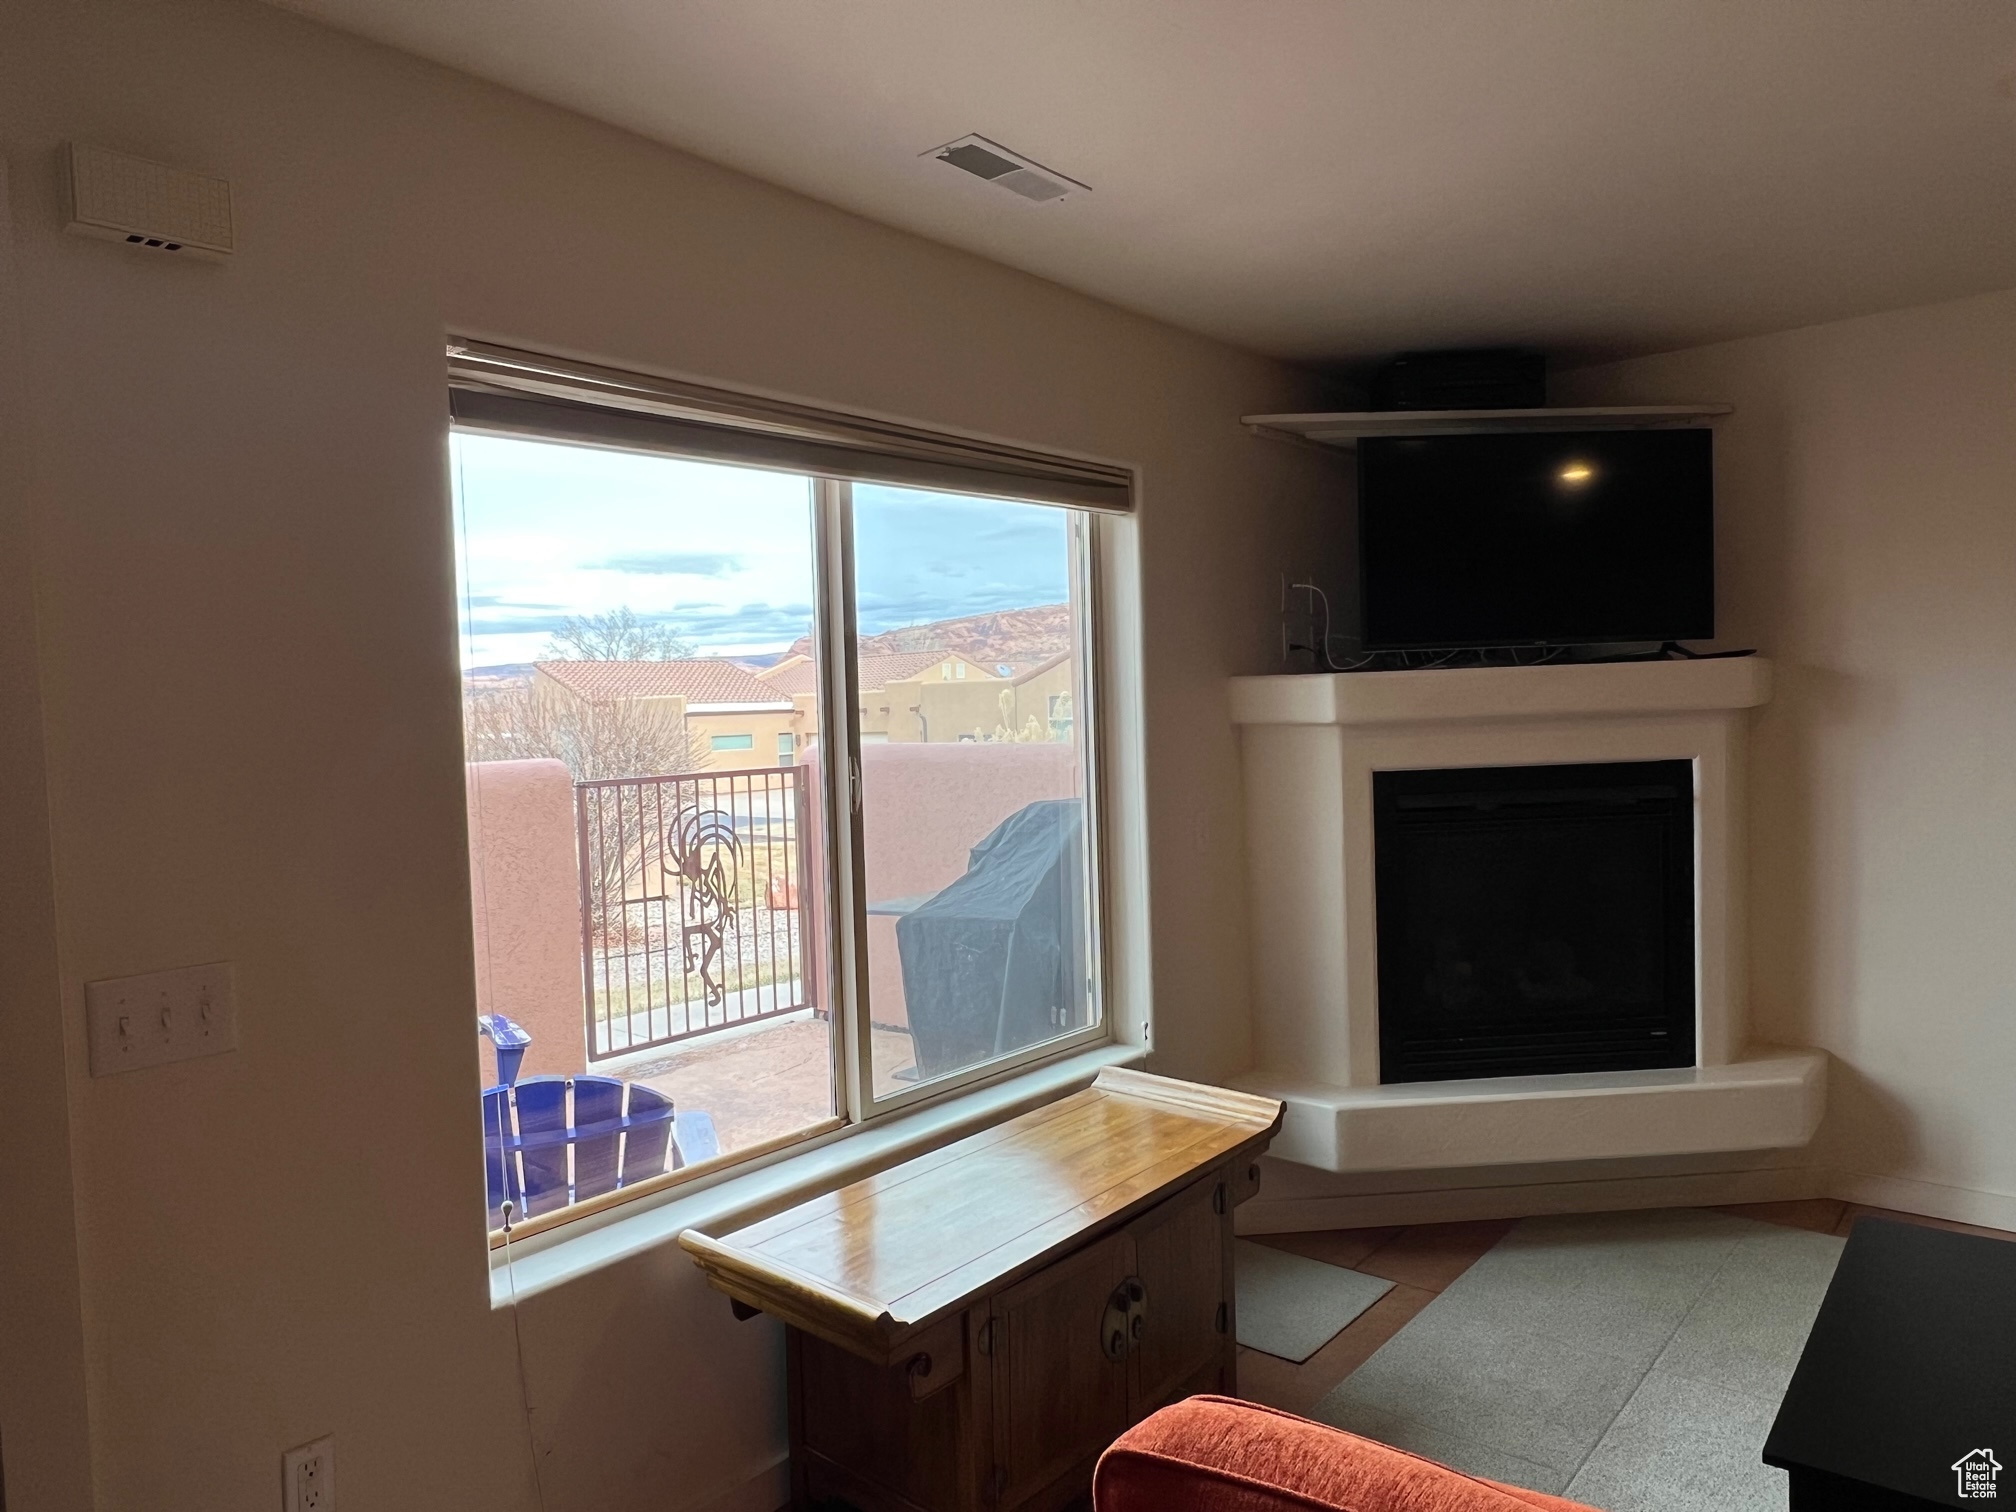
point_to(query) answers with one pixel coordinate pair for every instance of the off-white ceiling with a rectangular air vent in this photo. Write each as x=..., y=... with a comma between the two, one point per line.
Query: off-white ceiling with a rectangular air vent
x=1338, y=180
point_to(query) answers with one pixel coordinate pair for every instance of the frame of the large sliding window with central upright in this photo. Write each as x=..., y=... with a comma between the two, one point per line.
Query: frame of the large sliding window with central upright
x=856, y=1106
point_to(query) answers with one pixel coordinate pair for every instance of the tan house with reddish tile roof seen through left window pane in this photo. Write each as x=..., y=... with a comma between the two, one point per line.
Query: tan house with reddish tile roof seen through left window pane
x=737, y=721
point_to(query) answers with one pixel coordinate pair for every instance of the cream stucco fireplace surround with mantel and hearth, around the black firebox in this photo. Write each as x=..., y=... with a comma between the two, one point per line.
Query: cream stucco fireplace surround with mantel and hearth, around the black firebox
x=1311, y=747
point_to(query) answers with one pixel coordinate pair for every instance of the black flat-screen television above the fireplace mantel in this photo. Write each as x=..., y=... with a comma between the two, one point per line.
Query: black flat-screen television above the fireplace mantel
x=1535, y=539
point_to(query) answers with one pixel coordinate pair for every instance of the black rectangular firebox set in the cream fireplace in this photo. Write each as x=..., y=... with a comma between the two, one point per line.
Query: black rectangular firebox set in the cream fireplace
x=1535, y=920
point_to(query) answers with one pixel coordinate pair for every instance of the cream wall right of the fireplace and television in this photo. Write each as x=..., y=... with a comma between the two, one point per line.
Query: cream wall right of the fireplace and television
x=1866, y=539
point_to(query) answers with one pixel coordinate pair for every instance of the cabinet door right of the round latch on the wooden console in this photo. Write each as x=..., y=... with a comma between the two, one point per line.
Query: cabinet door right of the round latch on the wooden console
x=1184, y=1263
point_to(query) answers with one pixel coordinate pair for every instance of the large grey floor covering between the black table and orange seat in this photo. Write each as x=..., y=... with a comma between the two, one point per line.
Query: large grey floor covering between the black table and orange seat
x=1539, y=1362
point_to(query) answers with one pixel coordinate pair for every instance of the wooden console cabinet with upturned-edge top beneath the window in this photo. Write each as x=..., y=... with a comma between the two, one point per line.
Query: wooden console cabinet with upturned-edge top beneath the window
x=969, y=1330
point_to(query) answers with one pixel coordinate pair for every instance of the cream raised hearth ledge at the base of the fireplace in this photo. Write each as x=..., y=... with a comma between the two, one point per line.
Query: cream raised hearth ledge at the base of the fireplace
x=1771, y=1100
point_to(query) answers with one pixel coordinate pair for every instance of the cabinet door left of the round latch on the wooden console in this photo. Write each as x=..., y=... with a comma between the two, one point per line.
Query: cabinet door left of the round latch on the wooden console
x=1059, y=1398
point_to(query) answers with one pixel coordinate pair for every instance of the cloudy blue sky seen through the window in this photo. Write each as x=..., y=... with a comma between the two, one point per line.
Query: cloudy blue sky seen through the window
x=723, y=555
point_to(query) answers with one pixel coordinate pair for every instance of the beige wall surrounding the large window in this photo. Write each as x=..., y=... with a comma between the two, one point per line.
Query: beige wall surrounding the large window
x=245, y=644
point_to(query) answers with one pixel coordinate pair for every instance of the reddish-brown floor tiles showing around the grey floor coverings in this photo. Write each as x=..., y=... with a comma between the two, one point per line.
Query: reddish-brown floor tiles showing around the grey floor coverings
x=1424, y=1259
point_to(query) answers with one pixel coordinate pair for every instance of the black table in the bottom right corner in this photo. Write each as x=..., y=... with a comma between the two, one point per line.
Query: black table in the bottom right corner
x=1908, y=1382
